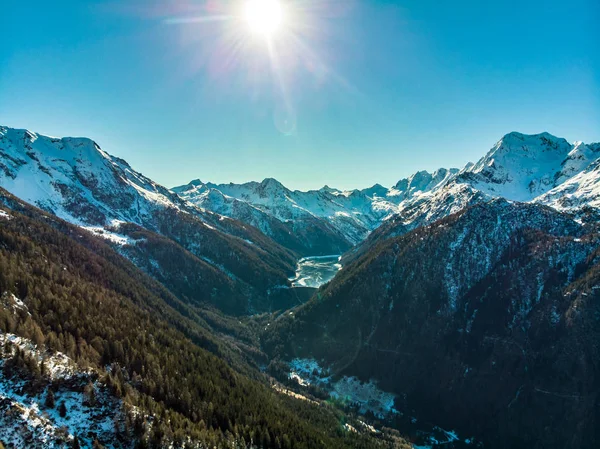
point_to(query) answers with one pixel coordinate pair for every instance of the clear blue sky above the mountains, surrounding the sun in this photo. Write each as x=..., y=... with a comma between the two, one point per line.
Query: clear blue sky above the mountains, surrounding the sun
x=352, y=93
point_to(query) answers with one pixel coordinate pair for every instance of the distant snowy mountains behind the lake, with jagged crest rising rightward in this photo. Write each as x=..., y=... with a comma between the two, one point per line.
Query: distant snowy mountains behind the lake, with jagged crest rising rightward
x=325, y=221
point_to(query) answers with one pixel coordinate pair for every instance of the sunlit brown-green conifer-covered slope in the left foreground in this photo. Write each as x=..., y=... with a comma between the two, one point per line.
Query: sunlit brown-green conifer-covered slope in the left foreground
x=71, y=292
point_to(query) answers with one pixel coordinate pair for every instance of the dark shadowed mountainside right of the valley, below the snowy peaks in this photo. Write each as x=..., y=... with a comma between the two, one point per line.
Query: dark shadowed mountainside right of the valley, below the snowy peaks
x=485, y=321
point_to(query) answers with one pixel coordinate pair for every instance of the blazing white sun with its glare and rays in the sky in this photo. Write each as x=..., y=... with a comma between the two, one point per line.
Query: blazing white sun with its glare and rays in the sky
x=271, y=50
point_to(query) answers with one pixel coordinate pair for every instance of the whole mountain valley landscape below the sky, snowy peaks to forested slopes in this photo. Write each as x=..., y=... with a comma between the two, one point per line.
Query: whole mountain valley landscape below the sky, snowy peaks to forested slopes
x=453, y=285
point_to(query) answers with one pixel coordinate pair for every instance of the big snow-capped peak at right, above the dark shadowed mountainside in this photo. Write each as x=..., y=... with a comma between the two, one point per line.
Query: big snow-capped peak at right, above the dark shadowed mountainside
x=536, y=168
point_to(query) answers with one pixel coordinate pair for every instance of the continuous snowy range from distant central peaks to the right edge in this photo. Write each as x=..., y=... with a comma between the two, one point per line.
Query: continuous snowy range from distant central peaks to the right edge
x=518, y=167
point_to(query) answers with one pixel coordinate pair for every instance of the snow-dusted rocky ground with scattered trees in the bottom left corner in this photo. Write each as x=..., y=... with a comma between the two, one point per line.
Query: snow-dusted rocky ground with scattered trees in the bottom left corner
x=26, y=421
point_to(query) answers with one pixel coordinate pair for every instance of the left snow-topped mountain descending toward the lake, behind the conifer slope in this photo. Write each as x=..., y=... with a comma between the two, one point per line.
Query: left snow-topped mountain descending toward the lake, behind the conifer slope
x=77, y=181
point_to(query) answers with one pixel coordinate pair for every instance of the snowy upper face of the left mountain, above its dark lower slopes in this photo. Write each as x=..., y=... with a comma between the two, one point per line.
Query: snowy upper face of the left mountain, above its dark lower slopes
x=76, y=180
